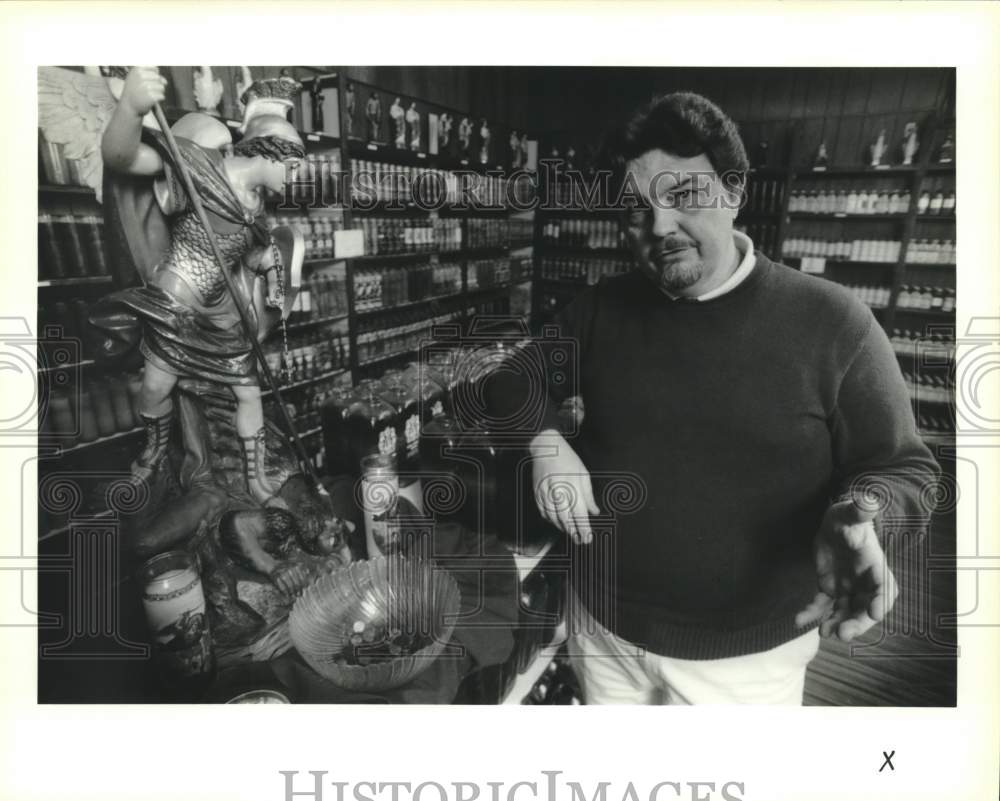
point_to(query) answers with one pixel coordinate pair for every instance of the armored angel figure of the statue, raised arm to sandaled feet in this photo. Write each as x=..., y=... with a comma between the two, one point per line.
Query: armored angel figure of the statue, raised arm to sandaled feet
x=187, y=319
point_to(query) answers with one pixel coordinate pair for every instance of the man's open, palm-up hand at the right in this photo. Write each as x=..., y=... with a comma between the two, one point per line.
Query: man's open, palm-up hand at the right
x=856, y=587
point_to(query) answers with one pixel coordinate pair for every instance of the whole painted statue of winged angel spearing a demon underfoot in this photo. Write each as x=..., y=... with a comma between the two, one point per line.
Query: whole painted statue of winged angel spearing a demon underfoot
x=209, y=452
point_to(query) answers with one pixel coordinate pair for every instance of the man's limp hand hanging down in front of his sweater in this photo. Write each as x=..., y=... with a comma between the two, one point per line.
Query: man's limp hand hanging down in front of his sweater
x=562, y=486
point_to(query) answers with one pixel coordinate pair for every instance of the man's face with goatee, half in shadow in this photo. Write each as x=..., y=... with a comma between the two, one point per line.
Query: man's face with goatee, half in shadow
x=682, y=232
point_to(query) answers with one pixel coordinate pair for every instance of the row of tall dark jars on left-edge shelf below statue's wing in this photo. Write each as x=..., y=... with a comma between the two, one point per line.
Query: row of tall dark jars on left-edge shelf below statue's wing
x=70, y=246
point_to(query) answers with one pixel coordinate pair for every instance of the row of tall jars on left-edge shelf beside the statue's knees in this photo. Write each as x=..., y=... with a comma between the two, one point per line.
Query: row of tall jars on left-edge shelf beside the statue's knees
x=95, y=408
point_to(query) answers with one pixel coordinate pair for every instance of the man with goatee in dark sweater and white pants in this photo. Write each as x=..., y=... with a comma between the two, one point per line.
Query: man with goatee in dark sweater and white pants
x=750, y=404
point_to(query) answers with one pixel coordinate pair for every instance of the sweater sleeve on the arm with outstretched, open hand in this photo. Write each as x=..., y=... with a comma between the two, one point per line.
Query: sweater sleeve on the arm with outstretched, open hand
x=877, y=449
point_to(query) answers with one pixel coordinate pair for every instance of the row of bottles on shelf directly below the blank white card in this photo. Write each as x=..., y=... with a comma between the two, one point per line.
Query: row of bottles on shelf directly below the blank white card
x=387, y=287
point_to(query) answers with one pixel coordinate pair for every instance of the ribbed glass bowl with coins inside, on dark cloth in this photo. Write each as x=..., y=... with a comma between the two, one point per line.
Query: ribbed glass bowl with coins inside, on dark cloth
x=384, y=593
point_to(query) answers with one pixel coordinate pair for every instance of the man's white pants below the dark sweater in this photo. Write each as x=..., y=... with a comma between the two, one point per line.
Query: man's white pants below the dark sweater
x=614, y=671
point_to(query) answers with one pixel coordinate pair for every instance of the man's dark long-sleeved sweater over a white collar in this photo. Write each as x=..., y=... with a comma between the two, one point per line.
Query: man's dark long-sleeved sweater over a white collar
x=741, y=417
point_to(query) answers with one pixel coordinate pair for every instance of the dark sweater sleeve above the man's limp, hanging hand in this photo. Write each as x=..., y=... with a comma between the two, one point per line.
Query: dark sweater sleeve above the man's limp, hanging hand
x=549, y=370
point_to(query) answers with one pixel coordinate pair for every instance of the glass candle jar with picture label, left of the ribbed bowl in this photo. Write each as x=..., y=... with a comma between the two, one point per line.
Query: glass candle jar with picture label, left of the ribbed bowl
x=174, y=602
